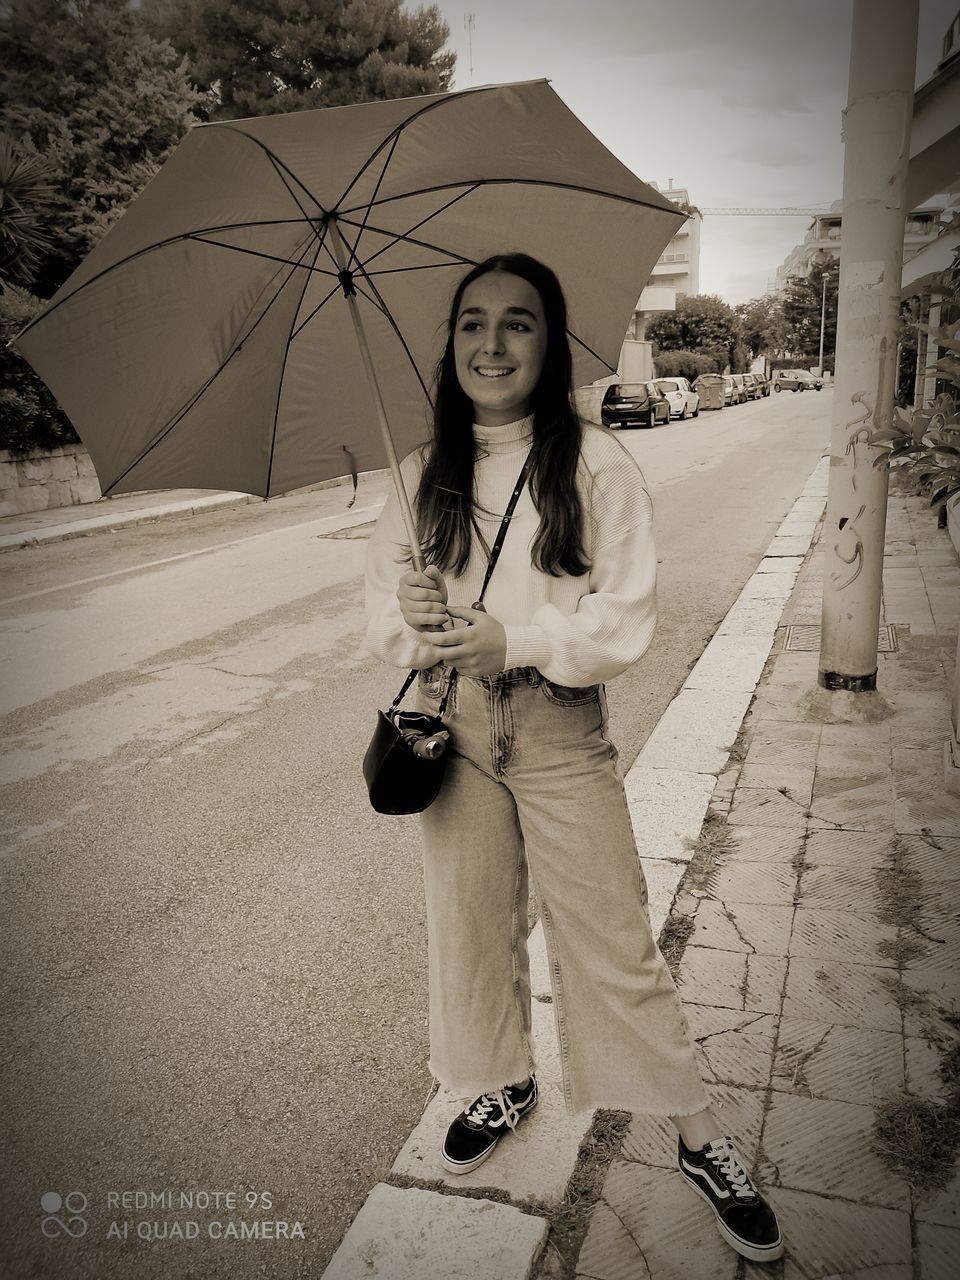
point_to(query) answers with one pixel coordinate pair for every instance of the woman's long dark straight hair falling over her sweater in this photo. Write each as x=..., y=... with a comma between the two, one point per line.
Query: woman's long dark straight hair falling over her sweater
x=446, y=496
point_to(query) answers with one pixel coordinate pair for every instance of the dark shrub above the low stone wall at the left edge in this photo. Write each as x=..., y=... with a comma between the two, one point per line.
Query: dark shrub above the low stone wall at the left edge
x=30, y=417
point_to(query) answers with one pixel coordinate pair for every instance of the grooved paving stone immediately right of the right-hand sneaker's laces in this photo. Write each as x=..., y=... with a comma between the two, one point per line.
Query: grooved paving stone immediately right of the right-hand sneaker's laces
x=796, y=1142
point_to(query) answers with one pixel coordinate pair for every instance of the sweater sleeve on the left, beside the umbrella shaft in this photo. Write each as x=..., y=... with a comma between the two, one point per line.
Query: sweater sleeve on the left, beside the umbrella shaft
x=388, y=637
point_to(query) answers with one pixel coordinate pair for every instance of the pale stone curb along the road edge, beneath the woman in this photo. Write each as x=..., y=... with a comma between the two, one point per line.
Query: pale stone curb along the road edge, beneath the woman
x=670, y=789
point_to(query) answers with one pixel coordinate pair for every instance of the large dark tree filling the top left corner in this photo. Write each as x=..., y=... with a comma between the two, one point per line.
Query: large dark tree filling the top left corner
x=103, y=103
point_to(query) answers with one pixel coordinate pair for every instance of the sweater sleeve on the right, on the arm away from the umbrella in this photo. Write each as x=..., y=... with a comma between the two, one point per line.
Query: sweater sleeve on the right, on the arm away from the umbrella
x=615, y=619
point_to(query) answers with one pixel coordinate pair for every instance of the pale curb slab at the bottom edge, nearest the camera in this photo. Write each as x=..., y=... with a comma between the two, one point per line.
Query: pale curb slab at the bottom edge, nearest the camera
x=413, y=1235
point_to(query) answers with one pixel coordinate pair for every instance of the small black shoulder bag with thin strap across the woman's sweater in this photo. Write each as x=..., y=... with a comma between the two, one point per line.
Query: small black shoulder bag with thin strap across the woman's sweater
x=406, y=761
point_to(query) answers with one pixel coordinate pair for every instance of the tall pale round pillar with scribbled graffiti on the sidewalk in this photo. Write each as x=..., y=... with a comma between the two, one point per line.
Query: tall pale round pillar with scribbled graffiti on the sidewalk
x=876, y=156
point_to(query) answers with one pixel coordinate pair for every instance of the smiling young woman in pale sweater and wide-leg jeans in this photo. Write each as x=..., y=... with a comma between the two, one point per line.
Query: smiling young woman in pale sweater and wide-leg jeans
x=533, y=778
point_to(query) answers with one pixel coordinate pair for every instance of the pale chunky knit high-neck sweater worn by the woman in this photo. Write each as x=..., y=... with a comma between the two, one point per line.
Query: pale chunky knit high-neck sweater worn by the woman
x=574, y=630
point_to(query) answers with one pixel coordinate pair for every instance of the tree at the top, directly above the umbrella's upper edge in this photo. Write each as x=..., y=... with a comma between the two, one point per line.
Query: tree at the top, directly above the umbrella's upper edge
x=263, y=57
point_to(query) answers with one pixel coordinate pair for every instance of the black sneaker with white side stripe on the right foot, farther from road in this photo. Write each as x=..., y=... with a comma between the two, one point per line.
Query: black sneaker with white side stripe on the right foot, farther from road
x=746, y=1220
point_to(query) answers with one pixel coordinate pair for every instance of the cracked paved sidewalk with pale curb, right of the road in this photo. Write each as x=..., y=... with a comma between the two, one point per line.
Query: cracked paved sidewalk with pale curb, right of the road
x=804, y=880
